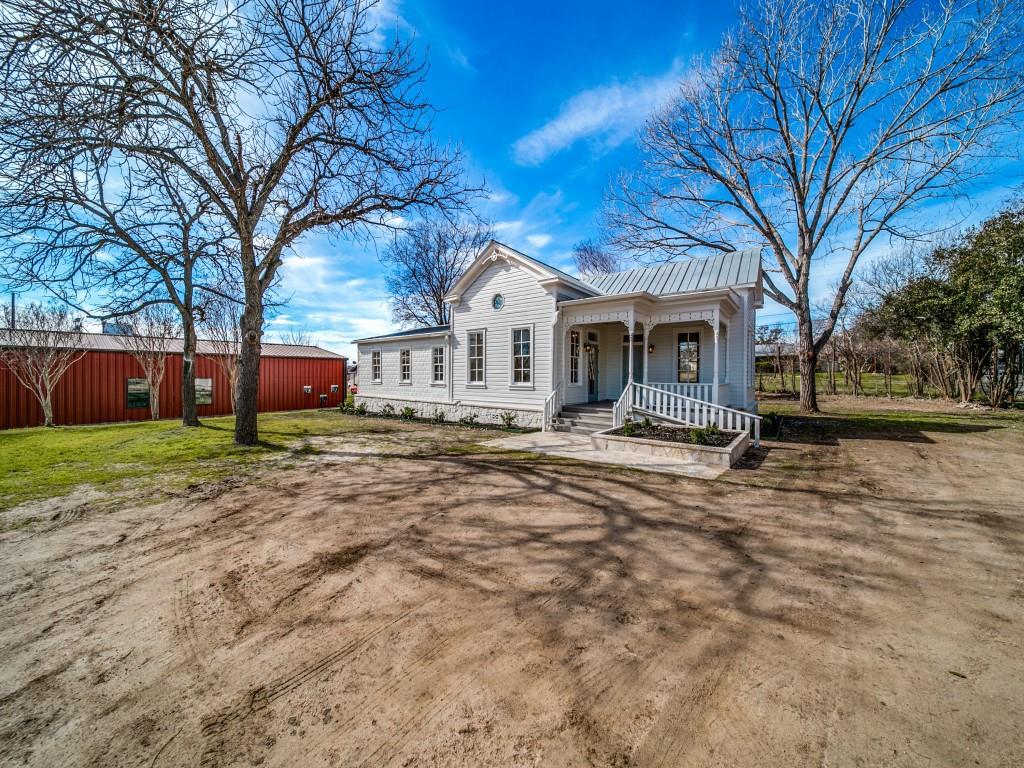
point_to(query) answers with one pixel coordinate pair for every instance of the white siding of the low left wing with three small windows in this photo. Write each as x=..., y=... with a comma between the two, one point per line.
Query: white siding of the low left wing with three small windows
x=421, y=388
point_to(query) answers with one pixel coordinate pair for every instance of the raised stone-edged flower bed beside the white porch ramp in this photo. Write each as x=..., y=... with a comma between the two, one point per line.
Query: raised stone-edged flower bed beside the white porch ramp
x=712, y=448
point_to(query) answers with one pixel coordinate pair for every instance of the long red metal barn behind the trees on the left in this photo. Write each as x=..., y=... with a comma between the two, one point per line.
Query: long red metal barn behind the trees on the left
x=100, y=389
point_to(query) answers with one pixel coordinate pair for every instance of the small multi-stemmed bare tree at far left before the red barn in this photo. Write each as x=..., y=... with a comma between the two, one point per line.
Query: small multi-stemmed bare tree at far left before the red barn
x=38, y=347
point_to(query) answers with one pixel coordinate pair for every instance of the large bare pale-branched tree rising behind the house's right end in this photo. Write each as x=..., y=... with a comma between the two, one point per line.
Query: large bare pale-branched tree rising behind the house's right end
x=816, y=130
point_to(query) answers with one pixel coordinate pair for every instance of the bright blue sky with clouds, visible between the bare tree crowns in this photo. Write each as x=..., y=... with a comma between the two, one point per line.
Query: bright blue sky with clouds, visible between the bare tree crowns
x=545, y=101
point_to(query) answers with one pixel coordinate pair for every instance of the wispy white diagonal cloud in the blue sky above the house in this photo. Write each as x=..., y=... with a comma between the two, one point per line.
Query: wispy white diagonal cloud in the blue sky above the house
x=607, y=115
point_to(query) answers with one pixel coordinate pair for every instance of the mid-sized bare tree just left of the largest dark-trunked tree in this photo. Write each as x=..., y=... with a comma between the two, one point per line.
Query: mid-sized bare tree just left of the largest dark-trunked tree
x=131, y=234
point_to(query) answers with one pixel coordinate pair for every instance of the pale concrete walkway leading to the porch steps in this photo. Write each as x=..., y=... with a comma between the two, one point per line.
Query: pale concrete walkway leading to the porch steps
x=579, y=447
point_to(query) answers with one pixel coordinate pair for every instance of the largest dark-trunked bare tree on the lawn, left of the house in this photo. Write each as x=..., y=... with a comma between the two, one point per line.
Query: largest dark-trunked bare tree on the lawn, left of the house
x=288, y=115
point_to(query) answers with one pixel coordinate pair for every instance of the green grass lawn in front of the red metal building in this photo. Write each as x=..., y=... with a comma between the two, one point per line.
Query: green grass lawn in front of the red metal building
x=42, y=463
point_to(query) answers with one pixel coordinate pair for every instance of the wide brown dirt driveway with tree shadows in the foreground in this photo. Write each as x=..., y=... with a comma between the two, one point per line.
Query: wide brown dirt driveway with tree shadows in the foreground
x=855, y=605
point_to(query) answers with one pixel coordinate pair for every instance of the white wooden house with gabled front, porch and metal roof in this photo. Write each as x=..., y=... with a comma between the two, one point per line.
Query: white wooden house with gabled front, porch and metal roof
x=675, y=342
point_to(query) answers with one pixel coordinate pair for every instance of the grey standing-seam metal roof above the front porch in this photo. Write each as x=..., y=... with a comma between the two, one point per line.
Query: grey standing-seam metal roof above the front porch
x=720, y=271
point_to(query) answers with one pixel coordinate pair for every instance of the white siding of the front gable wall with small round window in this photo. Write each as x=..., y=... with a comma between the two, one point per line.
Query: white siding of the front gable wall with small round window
x=527, y=304
